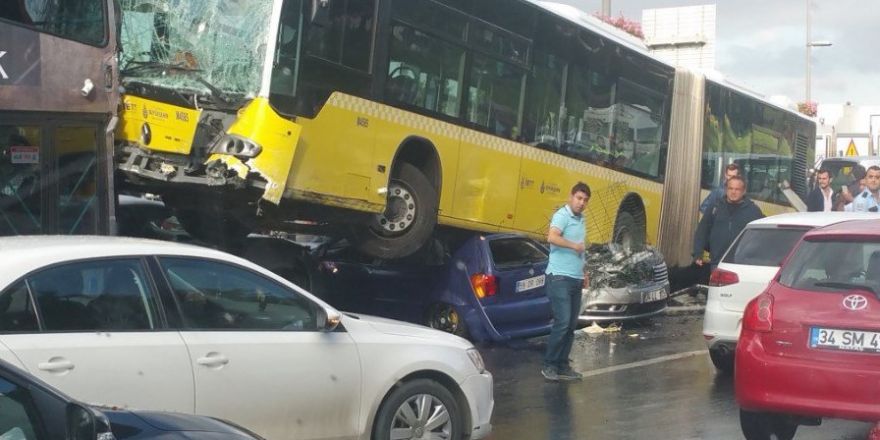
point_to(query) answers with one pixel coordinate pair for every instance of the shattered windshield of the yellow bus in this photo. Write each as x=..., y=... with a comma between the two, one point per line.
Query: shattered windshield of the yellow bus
x=207, y=47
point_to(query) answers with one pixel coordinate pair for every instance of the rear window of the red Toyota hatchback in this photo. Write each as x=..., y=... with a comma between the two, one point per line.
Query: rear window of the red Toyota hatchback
x=834, y=266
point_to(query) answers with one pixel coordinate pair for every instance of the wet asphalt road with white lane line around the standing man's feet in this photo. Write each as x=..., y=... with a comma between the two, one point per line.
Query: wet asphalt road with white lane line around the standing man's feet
x=645, y=382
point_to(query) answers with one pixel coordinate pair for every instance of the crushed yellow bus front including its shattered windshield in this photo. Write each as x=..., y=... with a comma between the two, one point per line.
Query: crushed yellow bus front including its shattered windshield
x=196, y=78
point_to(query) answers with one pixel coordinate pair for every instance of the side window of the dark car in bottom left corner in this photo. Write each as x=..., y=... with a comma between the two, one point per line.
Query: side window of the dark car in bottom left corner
x=18, y=415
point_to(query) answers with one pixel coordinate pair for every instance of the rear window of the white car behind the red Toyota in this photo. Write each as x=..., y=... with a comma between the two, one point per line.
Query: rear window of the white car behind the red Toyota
x=763, y=246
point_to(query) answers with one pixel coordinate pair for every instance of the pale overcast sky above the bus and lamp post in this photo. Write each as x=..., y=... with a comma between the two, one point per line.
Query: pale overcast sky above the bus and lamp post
x=761, y=44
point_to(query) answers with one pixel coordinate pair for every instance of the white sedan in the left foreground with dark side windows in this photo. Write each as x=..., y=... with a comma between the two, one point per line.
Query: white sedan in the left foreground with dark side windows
x=155, y=325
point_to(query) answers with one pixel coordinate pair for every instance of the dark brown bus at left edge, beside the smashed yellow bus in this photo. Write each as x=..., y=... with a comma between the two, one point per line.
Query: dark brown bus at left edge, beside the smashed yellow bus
x=58, y=98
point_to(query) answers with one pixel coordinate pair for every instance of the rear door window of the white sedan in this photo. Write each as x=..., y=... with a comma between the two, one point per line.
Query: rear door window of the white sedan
x=95, y=295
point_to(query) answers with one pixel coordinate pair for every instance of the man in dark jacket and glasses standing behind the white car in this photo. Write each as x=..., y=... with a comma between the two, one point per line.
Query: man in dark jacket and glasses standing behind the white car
x=724, y=221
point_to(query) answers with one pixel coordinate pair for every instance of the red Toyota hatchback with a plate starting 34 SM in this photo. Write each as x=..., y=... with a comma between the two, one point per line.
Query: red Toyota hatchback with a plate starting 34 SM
x=810, y=344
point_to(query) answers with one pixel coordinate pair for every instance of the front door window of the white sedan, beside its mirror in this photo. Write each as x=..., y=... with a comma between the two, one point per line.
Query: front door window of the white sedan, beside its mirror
x=218, y=296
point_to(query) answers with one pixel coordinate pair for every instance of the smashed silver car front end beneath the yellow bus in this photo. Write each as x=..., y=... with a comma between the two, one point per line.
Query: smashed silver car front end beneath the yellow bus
x=624, y=284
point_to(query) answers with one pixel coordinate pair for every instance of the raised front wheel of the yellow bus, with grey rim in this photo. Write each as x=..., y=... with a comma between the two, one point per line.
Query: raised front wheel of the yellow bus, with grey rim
x=408, y=220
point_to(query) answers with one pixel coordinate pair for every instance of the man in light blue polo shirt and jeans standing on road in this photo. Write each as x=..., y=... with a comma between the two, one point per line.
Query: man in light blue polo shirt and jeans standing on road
x=565, y=279
